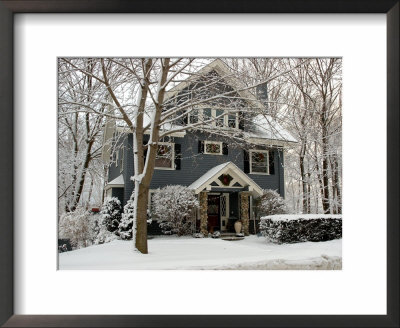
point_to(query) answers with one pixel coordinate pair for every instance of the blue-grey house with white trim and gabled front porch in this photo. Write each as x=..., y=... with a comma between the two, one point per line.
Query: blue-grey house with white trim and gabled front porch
x=226, y=176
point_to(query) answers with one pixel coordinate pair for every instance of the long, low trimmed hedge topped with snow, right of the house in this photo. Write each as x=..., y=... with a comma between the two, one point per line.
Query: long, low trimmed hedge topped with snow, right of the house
x=300, y=228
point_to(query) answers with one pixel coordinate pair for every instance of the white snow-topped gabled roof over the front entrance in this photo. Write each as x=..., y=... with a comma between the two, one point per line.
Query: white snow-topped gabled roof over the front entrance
x=238, y=176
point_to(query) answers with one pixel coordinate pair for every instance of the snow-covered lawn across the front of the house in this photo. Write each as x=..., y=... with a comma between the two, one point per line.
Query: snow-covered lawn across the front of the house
x=170, y=252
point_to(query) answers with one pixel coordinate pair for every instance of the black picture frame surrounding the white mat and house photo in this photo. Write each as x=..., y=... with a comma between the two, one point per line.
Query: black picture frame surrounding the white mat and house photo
x=11, y=7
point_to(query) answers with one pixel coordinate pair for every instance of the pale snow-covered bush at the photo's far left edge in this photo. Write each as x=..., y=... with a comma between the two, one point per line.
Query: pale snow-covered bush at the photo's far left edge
x=78, y=227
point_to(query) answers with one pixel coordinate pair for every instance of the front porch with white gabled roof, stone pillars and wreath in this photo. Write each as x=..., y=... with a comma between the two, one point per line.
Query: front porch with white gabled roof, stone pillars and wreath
x=226, y=195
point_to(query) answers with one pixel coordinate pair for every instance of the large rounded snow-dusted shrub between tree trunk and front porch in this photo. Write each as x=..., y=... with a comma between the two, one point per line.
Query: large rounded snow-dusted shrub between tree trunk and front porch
x=174, y=207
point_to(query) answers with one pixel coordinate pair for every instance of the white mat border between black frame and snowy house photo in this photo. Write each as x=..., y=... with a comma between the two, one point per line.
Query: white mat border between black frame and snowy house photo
x=360, y=288
